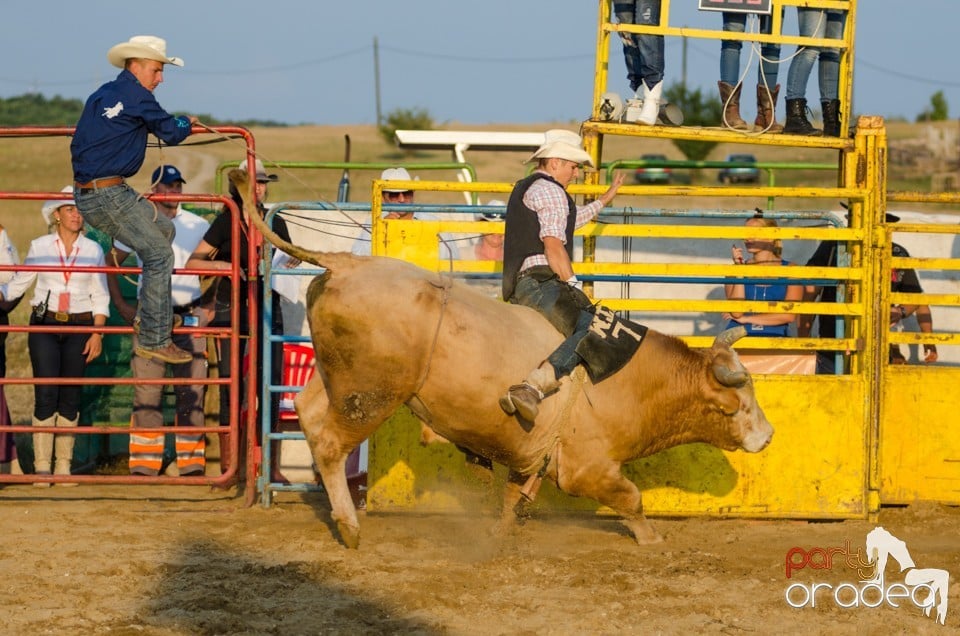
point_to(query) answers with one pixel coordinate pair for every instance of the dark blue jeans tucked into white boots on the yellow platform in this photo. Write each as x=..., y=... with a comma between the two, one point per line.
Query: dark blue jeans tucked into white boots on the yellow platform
x=643, y=54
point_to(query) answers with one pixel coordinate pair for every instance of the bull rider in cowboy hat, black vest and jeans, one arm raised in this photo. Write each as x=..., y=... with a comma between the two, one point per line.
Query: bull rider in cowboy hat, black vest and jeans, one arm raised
x=537, y=260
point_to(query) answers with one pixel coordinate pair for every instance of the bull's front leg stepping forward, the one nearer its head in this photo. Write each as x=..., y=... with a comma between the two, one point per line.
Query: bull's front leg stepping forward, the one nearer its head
x=607, y=485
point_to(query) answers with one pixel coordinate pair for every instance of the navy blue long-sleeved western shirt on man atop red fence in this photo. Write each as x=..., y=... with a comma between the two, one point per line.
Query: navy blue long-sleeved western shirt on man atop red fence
x=111, y=136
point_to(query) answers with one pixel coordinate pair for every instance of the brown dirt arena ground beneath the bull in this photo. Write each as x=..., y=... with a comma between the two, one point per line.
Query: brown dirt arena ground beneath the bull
x=162, y=560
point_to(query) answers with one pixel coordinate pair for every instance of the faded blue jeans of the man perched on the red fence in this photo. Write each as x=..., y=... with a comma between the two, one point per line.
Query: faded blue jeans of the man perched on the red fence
x=120, y=213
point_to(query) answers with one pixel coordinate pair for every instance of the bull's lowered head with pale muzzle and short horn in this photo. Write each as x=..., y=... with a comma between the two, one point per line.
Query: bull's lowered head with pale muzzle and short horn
x=737, y=399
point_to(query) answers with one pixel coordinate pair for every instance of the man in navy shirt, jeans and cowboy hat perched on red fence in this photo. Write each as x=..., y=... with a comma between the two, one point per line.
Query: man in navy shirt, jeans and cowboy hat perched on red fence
x=108, y=147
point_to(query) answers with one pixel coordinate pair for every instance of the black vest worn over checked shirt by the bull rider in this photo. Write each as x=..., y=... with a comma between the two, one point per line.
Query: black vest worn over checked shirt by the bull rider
x=522, y=231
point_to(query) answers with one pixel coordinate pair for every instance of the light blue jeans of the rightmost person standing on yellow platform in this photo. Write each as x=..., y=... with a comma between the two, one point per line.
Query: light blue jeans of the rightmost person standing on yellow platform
x=817, y=23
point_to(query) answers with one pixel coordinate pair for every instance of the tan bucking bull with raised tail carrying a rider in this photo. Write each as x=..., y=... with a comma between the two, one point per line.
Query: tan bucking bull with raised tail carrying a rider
x=388, y=333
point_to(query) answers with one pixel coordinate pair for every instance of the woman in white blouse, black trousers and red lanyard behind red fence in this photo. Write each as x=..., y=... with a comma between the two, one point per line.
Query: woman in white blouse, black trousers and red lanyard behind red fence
x=61, y=298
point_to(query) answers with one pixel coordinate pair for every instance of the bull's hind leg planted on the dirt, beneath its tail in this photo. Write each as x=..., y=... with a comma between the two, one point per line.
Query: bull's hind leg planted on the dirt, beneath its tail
x=330, y=441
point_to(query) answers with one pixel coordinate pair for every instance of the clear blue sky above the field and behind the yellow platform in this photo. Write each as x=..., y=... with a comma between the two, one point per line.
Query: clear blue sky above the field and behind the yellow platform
x=490, y=61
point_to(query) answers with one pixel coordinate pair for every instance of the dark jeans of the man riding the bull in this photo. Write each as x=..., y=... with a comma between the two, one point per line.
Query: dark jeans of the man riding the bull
x=566, y=308
